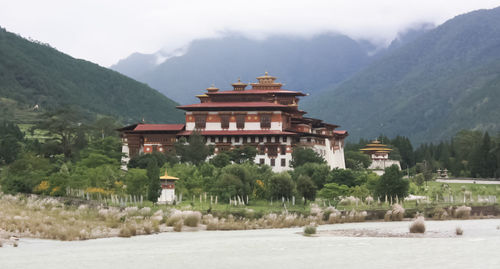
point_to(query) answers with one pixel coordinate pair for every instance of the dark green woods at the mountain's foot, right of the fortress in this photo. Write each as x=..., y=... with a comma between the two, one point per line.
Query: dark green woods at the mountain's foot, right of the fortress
x=467, y=154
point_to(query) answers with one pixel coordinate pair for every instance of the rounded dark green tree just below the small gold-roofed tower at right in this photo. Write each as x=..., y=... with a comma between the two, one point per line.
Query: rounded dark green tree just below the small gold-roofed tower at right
x=392, y=184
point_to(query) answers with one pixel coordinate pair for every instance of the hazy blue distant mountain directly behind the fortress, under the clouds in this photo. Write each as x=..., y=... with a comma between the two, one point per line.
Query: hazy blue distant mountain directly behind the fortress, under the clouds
x=302, y=64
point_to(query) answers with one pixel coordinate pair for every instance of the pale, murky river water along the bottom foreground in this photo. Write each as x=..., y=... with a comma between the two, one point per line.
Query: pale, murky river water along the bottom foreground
x=479, y=247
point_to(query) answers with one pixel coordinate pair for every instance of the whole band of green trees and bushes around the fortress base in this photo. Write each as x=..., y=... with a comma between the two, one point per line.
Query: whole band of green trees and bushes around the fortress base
x=66, y=151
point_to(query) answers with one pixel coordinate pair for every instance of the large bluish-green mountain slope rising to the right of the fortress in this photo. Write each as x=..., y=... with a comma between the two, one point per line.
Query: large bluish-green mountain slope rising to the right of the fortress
x=445, y=80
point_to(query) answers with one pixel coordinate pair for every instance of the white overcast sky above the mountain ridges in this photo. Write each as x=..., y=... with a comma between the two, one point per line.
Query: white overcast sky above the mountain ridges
x=105, y=31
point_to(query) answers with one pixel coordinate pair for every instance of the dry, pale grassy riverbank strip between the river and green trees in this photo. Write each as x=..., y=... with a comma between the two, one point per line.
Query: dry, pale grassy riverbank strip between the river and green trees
x=69, y=219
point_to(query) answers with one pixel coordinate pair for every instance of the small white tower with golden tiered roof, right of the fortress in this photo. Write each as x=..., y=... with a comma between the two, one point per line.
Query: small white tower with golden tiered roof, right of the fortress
x=379, y=154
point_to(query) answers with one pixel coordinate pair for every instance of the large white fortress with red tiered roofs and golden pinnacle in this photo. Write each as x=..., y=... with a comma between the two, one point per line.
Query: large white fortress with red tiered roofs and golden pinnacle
x=265, y=116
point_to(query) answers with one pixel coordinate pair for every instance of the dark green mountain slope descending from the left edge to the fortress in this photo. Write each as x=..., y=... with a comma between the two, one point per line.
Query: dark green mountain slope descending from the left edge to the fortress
x=32, y=74
